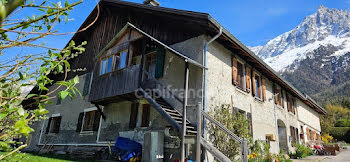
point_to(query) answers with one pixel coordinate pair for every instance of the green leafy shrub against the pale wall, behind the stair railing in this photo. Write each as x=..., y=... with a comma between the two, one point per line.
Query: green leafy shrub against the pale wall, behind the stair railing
x=236, y=123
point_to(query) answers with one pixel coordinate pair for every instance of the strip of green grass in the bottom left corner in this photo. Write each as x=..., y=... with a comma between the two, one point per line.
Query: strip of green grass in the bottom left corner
x=28, y=157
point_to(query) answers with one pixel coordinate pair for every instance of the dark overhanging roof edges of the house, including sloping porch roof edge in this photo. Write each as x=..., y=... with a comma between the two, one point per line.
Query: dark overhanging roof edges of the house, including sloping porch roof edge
x=211, y=23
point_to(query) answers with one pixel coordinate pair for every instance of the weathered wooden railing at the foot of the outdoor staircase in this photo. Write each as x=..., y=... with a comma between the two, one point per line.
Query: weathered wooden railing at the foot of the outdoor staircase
x=201, y=116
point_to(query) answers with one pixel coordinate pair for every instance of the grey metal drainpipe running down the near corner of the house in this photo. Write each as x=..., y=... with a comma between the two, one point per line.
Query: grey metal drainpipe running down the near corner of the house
x=205, y=74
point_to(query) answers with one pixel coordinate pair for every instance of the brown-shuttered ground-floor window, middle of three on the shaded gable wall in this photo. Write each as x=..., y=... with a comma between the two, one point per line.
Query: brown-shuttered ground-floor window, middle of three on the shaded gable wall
x=88, y=120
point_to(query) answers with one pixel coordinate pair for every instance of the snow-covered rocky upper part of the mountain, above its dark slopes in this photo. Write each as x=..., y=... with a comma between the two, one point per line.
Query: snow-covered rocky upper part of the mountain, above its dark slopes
x=323, y=28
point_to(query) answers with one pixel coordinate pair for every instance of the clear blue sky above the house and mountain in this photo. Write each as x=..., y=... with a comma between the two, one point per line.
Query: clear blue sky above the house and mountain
x=253, y=22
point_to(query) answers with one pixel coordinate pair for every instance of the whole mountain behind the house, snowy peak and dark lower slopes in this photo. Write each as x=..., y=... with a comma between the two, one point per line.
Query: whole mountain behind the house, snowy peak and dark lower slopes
x=315, y=55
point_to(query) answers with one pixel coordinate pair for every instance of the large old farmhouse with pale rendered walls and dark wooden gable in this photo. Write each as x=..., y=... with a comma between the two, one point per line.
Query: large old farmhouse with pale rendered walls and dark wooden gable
x=145, y=64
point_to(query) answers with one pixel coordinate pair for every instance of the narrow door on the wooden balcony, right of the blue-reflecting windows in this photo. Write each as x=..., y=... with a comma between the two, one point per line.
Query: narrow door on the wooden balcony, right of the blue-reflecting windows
x=150, y=65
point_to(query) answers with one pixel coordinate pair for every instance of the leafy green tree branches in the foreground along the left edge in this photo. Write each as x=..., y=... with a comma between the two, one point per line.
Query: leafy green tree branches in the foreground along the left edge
x=23, y=70
